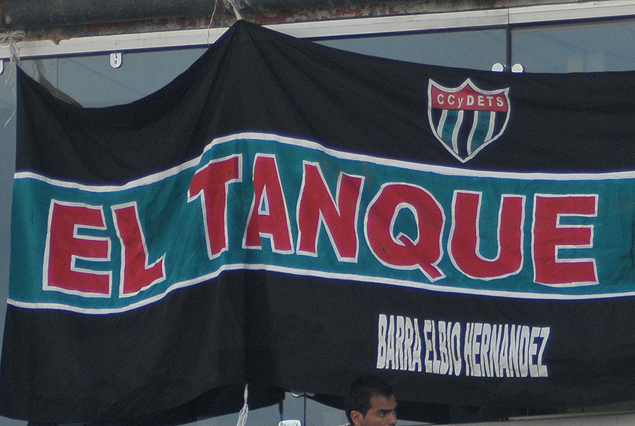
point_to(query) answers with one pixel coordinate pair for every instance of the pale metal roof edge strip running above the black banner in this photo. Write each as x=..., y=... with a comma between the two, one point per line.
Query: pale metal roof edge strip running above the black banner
x=200, y=37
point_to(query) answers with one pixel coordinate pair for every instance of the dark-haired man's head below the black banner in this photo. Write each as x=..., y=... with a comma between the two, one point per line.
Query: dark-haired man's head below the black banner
x=371, y=402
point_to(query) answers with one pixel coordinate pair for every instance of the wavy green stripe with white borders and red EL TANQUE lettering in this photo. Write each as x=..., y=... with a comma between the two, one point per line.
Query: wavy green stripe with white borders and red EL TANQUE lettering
x=258, y=201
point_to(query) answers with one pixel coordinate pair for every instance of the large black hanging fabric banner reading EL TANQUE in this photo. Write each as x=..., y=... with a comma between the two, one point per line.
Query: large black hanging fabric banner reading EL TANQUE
x=289, y=216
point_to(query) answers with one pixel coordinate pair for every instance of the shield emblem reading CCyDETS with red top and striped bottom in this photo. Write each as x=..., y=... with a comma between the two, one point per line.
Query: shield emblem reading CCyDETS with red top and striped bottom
x=466, y=119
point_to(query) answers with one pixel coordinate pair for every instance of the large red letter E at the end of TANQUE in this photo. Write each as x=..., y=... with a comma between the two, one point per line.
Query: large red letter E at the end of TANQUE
x=549, y=236
